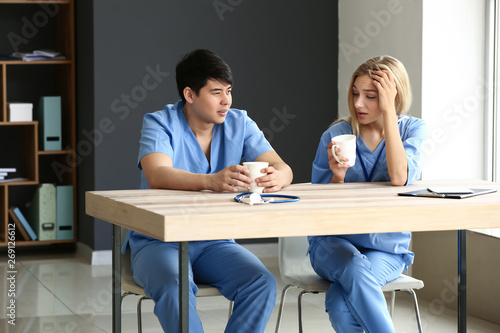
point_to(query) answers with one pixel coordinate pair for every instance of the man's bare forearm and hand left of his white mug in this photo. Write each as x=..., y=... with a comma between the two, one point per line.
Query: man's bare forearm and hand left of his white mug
x=160, y=174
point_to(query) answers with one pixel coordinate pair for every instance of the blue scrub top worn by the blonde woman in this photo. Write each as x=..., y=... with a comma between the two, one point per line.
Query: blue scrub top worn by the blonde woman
x=413, y=133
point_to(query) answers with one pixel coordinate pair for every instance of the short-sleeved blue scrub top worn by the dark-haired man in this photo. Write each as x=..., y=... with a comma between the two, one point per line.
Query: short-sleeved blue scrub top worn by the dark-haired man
x=167, y=131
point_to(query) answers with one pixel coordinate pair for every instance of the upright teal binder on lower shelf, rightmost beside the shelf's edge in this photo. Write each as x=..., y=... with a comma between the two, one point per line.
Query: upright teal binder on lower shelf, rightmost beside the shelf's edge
x=64, y=212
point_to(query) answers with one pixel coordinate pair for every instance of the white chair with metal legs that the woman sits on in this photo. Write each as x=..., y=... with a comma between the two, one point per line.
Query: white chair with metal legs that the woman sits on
x=296, y=271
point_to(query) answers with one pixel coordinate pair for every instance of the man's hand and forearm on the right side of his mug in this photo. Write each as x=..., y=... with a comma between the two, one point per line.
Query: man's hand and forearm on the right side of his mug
x=279, y=174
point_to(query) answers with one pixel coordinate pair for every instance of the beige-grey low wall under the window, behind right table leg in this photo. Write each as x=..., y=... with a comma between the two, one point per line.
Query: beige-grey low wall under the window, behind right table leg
x=436, y=264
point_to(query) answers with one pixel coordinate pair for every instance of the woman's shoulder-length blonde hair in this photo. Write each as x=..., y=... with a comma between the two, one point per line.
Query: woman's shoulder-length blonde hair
x=403, y=98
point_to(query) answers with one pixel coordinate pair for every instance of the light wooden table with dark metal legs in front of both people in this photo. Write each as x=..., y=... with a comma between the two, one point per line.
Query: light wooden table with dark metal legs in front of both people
x=182, y=216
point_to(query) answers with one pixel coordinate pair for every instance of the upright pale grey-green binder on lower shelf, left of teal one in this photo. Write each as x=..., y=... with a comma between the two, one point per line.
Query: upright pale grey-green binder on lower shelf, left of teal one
x=42, y=212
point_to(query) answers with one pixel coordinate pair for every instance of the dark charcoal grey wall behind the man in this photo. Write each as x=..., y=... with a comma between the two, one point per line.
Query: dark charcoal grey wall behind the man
x=283, y=55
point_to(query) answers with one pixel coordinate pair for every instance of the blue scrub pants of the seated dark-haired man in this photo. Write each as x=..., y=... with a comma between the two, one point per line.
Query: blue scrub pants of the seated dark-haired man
x=237, y=273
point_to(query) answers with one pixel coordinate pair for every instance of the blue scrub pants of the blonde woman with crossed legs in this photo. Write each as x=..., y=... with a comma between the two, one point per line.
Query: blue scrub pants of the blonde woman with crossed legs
x=355, y=301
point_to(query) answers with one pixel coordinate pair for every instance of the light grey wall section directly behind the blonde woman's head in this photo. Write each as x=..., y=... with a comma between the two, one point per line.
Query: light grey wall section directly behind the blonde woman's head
x=368, y=28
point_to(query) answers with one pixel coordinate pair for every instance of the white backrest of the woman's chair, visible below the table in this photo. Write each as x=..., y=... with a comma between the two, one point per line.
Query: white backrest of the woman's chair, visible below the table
x=293, y=258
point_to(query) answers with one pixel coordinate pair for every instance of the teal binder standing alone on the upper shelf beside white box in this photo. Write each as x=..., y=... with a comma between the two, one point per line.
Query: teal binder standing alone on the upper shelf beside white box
x=49, y=117
